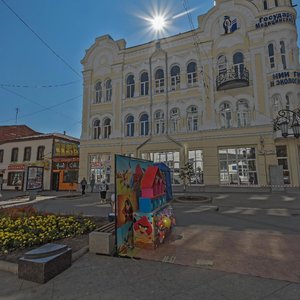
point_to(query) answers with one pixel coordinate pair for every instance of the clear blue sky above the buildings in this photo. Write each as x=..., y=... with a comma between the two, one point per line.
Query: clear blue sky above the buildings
x=68, y=27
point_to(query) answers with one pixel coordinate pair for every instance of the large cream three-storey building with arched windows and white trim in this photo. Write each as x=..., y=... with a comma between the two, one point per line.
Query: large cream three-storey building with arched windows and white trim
x=208, y=96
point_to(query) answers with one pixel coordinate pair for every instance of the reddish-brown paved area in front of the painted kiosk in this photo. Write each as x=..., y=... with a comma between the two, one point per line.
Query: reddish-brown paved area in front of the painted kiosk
x=250, y=252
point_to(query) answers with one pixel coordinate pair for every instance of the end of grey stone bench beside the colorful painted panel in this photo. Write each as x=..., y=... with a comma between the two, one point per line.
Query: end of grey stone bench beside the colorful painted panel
x=102, y=240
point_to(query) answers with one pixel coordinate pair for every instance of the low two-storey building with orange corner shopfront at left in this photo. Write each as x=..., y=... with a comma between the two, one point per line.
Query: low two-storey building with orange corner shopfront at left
x=43, y=162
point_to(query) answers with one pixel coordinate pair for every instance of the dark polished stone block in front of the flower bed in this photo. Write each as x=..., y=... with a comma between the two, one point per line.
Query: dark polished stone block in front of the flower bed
x=42, y=264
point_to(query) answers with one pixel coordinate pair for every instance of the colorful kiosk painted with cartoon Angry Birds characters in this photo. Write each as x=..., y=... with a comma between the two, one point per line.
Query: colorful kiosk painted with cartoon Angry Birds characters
x=144, y=217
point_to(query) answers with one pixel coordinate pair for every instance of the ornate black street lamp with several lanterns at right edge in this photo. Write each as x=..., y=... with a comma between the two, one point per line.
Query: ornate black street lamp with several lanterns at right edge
x=288, y=119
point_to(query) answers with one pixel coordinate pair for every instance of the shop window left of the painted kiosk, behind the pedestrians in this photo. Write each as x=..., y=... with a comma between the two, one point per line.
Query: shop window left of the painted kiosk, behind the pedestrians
x=100, y=167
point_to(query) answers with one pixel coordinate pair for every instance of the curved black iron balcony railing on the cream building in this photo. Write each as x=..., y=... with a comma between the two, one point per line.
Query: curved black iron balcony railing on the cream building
x=232, y=78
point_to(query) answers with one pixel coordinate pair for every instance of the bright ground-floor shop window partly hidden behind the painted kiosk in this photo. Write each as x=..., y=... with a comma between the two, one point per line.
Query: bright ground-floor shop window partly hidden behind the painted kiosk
x=171, y=159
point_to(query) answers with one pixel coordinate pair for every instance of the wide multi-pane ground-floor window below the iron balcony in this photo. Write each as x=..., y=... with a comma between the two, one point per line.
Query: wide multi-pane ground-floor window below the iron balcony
x=238, y=166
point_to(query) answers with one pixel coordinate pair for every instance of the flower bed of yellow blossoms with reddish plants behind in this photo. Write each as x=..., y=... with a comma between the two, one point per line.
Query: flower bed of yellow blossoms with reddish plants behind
x=23, y=227
